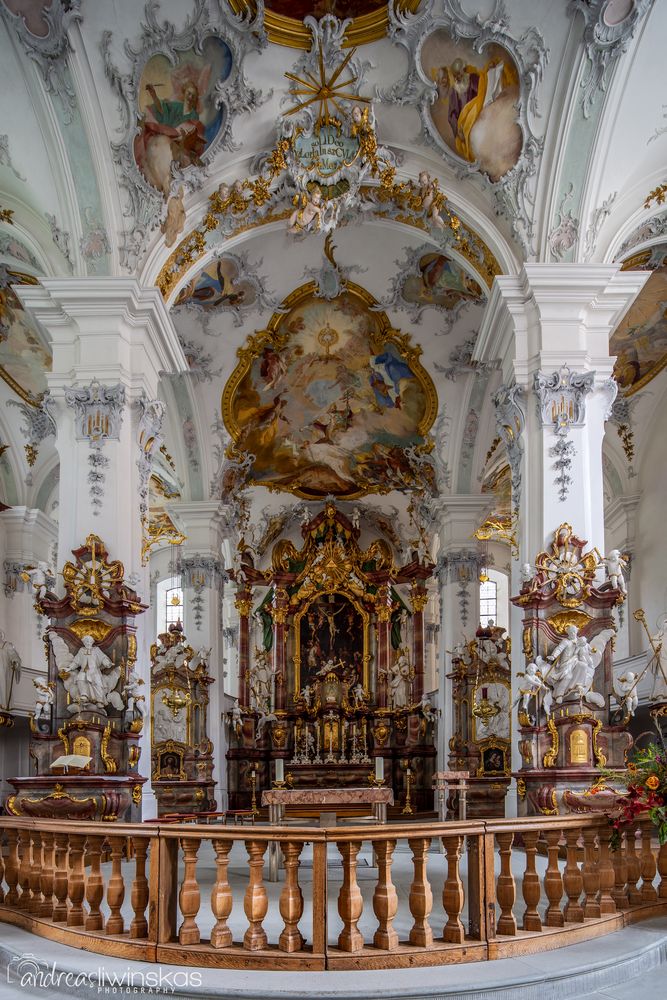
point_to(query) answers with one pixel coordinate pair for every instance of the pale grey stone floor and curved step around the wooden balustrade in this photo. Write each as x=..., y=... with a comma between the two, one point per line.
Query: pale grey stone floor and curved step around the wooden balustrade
x=620, y=966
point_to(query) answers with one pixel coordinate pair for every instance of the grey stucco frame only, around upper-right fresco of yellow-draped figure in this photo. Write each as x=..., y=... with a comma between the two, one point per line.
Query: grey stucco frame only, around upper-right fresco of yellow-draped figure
x=514, y=192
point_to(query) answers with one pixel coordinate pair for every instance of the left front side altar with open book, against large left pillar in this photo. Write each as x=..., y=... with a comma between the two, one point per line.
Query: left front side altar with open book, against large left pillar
x=86, y=727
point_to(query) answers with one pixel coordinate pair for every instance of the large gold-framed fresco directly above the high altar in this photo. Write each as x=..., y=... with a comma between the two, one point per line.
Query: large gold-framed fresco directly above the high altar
x=330, y=400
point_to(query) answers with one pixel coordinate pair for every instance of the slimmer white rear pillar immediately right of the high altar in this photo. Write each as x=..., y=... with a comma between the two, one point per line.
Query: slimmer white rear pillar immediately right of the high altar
x=458, y=565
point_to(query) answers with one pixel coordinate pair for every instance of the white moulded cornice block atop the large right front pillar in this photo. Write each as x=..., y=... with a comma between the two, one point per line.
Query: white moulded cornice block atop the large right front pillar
x=552, y=314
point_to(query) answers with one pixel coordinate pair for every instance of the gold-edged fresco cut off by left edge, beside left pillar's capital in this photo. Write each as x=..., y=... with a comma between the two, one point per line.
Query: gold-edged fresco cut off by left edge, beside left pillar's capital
x=24, y=358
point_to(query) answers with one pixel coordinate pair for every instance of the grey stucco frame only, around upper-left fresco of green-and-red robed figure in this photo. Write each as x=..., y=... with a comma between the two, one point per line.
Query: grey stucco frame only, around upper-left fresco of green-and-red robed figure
x=146, y=204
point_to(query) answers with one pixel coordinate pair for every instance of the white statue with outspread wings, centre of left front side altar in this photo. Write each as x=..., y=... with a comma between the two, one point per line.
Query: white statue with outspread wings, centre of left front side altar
x=89, y=677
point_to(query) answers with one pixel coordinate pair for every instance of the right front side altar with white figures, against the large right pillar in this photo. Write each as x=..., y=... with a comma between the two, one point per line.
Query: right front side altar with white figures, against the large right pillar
x=568, y=725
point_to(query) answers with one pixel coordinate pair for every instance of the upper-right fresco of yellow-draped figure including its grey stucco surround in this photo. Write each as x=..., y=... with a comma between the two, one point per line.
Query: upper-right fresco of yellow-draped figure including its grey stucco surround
x=476, y=89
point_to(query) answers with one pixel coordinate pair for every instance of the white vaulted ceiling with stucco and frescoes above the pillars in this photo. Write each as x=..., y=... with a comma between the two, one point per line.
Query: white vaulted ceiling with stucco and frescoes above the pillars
x=553, y=163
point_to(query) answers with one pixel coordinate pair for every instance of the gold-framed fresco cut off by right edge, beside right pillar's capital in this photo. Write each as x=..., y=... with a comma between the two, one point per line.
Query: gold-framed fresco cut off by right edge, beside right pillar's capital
x=640, y=340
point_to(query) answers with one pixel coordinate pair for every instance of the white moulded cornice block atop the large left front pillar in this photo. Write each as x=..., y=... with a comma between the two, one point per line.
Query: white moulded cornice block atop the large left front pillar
x=112, y=329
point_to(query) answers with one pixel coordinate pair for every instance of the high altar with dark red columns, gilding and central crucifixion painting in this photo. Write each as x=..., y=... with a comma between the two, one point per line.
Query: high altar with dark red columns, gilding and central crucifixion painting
x=333, y=696
